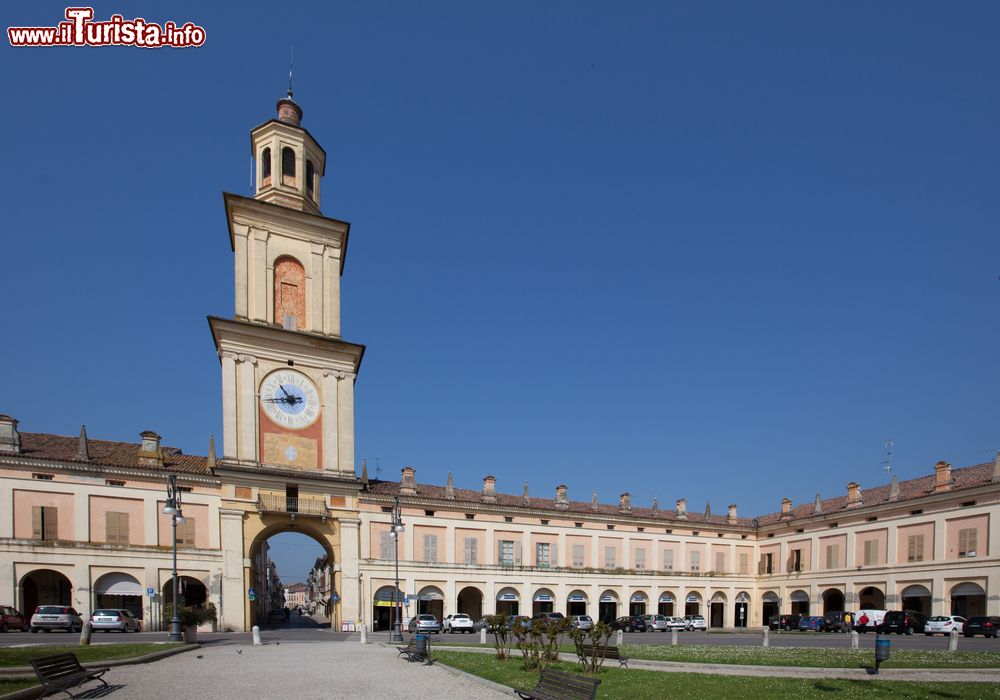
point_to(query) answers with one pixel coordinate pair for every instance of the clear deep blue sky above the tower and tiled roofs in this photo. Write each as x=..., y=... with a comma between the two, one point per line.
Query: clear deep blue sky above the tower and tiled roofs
x=712, y=250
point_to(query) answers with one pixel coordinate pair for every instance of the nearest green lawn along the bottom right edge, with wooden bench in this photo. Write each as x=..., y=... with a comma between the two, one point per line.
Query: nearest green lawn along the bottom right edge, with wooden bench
x=636, y=684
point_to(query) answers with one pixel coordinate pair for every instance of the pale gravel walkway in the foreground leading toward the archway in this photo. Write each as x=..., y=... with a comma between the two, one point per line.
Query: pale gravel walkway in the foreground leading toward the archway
x=289, y=670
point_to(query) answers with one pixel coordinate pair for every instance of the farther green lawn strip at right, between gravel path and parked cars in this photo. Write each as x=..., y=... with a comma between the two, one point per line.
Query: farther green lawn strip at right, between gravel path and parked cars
x=800, y=656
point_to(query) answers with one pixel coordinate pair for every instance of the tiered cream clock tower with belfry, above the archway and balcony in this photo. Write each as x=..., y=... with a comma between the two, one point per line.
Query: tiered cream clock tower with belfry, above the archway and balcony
x=287, y=374
